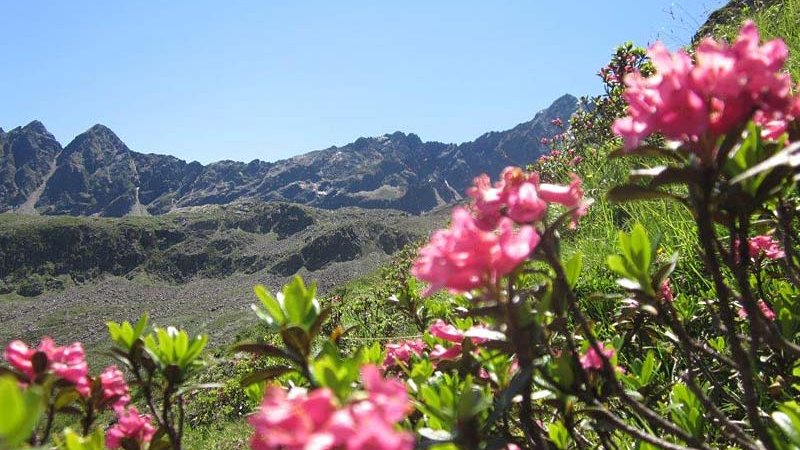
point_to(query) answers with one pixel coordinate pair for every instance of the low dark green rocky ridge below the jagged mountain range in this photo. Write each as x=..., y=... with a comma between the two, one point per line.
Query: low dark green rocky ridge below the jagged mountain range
x=211, y=241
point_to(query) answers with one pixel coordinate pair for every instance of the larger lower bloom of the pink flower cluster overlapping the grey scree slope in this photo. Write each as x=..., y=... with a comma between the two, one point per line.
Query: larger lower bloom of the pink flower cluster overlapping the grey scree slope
x=465, y=257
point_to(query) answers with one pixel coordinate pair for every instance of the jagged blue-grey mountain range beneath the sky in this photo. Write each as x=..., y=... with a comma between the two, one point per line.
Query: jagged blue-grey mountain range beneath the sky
x=97, y=174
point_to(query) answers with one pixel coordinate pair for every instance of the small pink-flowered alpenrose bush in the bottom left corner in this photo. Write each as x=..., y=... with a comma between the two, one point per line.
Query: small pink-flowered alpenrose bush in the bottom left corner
x=48, y=381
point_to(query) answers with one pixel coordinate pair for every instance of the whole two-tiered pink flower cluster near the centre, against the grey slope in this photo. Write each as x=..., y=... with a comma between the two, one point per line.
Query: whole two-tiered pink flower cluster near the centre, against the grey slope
x=497, y=236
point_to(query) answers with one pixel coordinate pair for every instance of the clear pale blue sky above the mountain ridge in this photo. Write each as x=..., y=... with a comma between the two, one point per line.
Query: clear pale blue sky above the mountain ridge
x=270, y=79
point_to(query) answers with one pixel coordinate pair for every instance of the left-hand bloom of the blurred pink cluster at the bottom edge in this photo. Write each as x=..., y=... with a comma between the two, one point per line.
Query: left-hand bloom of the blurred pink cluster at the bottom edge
x=285, y=422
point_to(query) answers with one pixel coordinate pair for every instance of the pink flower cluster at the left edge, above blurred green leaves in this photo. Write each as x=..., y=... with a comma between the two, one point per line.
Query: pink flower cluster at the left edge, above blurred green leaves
x=67, y=363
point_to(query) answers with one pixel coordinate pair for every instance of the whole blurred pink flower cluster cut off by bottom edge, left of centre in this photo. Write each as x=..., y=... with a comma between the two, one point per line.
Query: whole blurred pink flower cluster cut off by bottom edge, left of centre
x=313, y=420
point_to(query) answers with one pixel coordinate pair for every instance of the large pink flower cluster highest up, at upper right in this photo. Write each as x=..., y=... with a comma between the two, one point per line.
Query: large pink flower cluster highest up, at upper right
x=696, y=102
